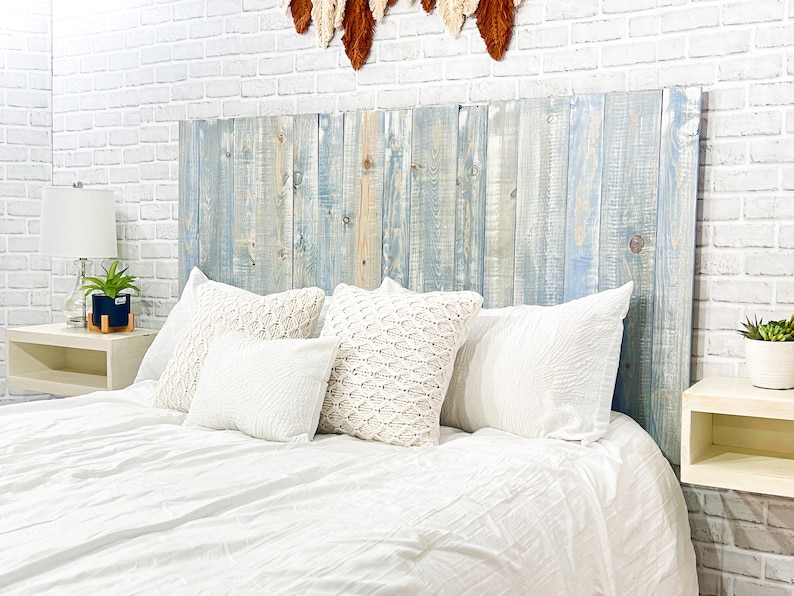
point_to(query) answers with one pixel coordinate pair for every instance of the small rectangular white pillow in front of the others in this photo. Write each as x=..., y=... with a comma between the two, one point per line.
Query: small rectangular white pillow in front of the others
x=270, y=390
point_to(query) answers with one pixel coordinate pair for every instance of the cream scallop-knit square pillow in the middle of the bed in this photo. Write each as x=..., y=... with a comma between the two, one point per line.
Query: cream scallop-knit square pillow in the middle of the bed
x=395, y=360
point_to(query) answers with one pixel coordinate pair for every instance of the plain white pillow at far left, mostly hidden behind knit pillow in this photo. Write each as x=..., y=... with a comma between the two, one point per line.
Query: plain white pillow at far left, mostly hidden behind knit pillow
x=168, y=338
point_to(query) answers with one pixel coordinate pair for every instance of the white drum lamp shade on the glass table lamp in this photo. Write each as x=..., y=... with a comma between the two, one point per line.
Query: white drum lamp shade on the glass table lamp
x=78, y=223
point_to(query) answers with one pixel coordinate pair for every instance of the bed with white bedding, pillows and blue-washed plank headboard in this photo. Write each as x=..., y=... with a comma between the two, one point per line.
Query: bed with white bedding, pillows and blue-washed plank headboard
x=493, y=475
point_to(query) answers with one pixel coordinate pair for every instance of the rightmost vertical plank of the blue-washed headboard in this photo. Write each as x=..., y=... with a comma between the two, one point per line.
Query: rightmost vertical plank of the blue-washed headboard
x=675, y=264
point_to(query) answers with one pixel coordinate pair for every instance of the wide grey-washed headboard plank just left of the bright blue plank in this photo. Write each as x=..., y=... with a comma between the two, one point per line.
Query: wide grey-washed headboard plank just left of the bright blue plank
x=541, y=200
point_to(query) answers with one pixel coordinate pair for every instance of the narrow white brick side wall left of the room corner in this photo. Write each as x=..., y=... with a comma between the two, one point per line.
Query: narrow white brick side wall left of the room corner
x=25, y=166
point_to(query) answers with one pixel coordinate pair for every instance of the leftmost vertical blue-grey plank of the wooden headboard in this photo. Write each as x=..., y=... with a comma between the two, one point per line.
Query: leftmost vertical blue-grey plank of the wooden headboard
x=189, y=159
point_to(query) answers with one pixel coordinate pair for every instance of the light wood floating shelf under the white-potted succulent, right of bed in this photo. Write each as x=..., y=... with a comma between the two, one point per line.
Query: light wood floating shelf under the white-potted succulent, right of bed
x=738, y=436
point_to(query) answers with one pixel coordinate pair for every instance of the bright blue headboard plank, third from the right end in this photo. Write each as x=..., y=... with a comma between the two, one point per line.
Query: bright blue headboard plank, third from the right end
x=585, y=160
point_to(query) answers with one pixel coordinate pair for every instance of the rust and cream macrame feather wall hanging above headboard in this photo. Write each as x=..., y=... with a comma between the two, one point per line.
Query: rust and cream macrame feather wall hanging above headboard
x=358, y=17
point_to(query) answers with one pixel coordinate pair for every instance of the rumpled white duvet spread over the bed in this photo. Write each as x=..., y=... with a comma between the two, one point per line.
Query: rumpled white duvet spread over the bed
x=103, y=494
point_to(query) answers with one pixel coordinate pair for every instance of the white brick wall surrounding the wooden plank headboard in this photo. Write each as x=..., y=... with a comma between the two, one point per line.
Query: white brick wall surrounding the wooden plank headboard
x=124, y=76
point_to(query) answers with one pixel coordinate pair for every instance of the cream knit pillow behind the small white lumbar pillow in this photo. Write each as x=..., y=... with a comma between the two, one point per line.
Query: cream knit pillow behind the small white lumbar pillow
x=291, y=314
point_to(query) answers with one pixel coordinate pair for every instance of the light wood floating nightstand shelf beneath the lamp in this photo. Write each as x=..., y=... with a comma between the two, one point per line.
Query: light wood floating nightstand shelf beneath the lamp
x=71, y=361
